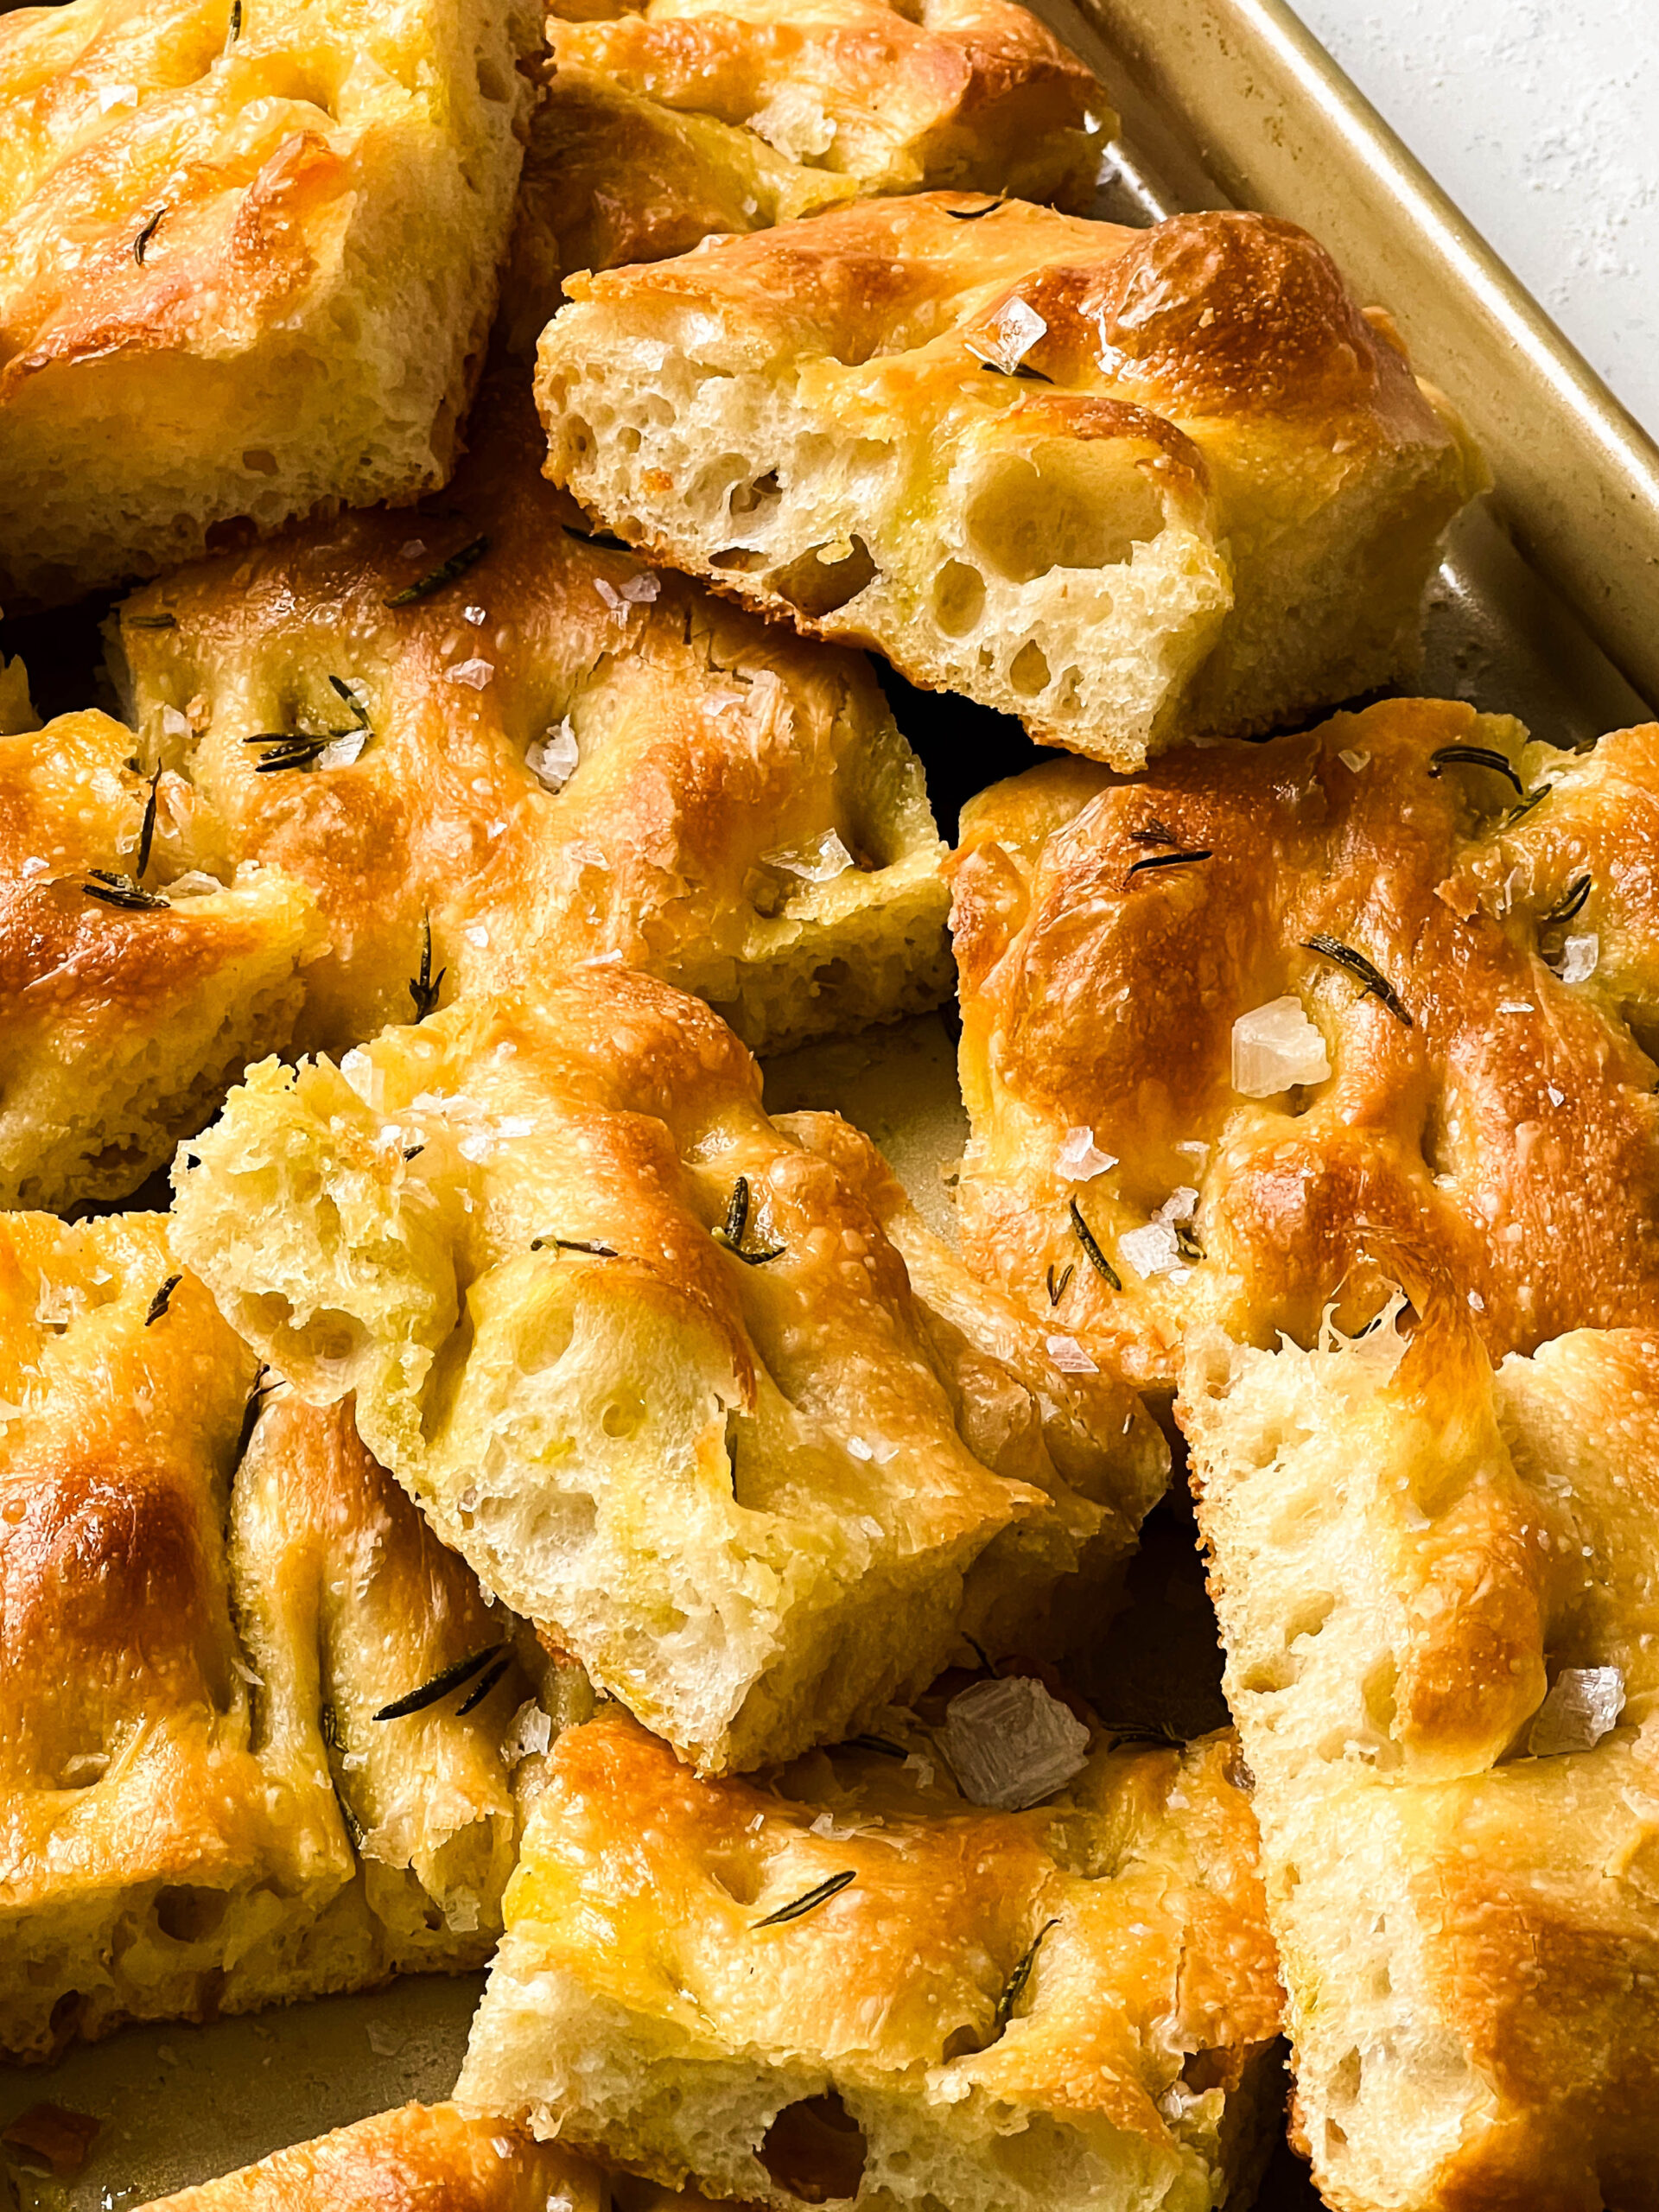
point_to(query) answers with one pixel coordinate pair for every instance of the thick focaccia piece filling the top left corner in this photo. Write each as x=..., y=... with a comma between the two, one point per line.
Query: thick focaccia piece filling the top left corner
x=286, y=225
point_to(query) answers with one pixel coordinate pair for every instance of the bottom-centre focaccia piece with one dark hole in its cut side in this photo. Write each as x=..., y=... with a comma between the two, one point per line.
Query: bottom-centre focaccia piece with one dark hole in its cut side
x=866, y=1985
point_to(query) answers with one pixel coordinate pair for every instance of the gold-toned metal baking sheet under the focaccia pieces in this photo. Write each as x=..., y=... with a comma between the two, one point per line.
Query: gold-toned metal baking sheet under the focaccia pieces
x=1547, y=607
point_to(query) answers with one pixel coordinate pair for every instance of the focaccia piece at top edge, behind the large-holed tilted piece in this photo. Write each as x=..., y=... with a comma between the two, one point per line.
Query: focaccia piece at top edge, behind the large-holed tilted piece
x=669, y=123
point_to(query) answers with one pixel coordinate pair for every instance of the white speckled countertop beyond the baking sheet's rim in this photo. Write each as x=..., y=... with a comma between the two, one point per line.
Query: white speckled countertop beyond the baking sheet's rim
x=1541, y=118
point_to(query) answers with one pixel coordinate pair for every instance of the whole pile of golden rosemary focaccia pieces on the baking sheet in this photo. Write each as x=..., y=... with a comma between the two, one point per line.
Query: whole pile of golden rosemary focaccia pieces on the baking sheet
x=517, y=1499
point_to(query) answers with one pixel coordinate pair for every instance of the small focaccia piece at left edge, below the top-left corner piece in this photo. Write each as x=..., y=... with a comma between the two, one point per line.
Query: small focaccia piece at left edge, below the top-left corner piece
x=140, y=970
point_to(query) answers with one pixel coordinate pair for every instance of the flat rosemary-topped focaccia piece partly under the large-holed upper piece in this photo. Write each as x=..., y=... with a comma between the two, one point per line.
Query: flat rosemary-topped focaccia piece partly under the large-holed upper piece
x=479, y=722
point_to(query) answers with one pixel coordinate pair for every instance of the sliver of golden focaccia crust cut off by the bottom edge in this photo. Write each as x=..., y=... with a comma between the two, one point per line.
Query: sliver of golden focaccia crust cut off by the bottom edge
x=415, y=2160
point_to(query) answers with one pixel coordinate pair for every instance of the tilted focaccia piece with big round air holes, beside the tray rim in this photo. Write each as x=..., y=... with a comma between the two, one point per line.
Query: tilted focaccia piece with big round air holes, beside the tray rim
x=1123, y=483
